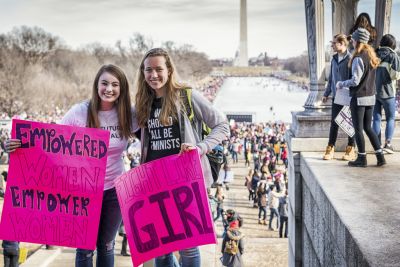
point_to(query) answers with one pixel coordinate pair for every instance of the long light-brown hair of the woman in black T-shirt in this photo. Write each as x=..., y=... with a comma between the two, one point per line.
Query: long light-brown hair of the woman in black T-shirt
x=145, y=94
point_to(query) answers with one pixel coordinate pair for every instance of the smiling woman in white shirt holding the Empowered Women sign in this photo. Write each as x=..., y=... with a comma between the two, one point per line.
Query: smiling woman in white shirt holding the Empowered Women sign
x=109, y=108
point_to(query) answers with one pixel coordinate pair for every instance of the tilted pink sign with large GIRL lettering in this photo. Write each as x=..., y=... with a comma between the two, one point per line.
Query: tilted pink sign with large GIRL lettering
x=165, y=206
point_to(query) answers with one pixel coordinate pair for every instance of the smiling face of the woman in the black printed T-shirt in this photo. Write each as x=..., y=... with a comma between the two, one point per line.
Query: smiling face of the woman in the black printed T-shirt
x=156, y=74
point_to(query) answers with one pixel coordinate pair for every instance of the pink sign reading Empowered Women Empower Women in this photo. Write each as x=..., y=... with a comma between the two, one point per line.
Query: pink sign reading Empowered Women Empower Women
x=55, y=185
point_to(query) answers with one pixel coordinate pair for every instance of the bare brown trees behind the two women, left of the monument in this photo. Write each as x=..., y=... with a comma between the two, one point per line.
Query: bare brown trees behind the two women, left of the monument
x=38, y=72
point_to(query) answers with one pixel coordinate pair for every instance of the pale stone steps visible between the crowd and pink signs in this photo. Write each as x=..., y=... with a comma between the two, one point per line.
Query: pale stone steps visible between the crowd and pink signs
x=262, y=247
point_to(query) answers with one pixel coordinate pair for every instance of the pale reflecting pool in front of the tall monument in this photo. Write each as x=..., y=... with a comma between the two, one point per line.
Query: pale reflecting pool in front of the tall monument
x=266, y=98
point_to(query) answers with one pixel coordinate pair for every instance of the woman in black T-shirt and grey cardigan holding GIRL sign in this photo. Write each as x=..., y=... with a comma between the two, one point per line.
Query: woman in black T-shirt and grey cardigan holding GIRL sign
x=160, y=107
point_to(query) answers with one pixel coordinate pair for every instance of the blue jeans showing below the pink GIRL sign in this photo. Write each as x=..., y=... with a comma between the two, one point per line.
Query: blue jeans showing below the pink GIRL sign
x=190, y=257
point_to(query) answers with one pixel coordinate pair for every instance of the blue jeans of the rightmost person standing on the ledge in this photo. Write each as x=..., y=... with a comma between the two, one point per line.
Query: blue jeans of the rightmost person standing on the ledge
x=389, y=105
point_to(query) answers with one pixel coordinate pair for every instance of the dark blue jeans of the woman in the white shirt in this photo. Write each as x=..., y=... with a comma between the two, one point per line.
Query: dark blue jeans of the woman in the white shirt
x=110, y=219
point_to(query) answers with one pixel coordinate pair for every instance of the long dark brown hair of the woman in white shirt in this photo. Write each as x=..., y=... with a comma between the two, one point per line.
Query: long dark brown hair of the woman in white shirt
x=123, y=104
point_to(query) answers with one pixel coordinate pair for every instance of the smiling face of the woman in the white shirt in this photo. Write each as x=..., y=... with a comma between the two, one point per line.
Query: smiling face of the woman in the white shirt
x=108, y=89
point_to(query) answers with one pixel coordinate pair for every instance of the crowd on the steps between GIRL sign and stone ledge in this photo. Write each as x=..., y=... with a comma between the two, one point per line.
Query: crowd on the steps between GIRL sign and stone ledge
x=264, y=152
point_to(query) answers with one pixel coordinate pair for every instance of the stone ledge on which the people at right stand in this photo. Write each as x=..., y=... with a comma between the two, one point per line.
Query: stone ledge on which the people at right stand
x=351, y=216
